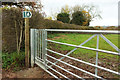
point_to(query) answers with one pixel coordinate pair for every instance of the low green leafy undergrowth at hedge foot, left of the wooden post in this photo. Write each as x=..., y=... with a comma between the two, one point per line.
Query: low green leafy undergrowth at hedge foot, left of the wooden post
x=13, y=60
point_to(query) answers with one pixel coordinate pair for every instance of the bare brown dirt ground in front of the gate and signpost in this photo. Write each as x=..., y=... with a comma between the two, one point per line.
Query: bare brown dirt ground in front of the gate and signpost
x=35, y=72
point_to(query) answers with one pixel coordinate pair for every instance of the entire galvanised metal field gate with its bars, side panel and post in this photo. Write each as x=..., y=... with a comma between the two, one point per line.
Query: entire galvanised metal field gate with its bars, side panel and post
x=39, y=51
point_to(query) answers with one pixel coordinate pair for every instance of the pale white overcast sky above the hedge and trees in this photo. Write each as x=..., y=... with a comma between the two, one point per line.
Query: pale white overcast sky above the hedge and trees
x=108, y=8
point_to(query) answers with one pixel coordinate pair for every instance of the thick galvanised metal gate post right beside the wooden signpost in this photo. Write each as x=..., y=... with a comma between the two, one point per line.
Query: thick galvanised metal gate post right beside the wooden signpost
x=32, y=36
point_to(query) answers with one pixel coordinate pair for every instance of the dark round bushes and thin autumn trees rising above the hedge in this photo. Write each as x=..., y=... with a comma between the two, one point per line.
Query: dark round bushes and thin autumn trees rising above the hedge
x=79, y=15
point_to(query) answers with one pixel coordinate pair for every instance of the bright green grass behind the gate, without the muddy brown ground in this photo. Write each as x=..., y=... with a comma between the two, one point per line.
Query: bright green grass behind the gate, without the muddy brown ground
x=77, y=39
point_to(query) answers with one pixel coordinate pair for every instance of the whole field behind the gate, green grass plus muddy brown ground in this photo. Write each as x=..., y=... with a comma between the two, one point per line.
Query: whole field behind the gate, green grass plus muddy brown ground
x=104, y=59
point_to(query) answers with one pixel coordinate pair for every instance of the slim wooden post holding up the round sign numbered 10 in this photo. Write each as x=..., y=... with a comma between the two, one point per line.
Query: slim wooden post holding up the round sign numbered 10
x=27, y=42
